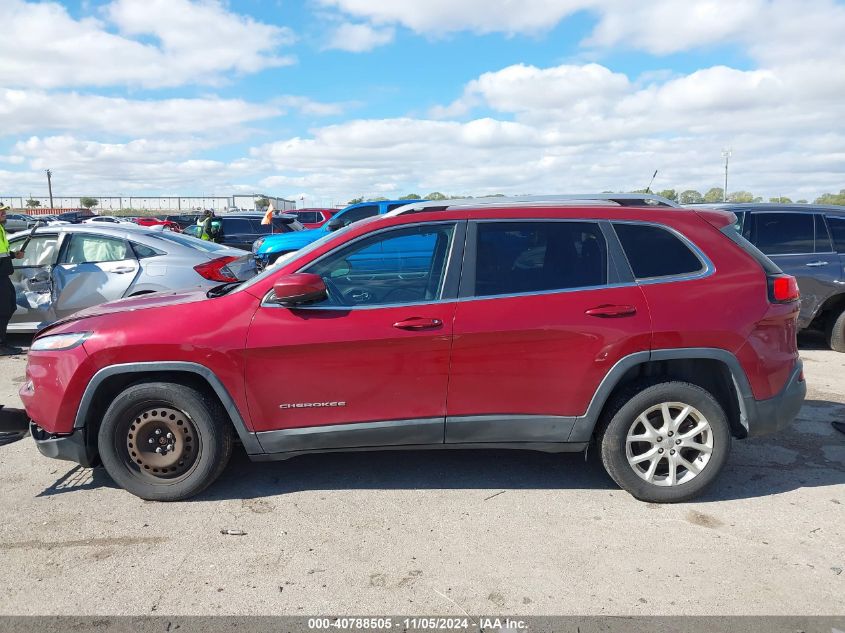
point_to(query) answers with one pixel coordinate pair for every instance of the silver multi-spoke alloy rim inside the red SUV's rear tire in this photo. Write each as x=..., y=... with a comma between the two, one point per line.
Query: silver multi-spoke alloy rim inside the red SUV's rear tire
x=669, y=444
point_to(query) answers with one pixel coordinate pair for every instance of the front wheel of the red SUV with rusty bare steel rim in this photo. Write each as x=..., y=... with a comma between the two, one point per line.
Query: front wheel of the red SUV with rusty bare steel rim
x=164, y=441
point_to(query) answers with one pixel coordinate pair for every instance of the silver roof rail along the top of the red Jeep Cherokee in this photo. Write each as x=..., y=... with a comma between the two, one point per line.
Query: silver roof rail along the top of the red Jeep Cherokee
x=577, y=199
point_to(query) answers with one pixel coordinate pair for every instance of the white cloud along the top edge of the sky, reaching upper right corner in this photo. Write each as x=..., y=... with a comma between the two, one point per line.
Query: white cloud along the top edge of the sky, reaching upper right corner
x=771, y=30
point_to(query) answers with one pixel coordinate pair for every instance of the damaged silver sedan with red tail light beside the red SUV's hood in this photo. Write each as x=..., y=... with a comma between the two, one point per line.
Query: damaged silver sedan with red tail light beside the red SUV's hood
x=68, y=268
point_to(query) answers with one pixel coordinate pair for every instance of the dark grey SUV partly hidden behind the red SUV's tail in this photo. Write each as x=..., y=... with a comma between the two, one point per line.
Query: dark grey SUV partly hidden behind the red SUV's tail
x=808, y=242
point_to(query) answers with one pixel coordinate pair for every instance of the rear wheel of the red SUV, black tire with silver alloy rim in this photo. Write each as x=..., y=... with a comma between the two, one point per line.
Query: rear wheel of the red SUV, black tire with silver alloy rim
x=666, y=442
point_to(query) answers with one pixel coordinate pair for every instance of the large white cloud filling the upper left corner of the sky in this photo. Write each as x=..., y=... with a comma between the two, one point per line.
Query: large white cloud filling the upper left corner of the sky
x=159, y=43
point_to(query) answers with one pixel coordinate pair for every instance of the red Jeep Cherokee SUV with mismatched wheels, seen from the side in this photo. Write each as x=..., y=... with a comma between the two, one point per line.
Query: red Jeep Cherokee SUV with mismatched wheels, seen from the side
x=656, y=333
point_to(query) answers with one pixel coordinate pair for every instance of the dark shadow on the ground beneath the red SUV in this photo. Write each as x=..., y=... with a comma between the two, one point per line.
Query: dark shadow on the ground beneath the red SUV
x=808, y=454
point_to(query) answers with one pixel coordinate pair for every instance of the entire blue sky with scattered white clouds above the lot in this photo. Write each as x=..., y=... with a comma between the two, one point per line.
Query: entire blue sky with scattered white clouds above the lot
x=331, y=99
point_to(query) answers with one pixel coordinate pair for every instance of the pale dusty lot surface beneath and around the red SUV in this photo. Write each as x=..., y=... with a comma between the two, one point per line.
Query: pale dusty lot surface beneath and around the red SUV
x=437, y=532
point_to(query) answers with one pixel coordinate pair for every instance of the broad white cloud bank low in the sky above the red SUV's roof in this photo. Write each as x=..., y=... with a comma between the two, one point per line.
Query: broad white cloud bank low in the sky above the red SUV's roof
x=581, y=128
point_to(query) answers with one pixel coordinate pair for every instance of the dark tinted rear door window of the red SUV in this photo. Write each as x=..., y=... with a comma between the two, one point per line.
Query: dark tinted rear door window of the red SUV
x=525, y=257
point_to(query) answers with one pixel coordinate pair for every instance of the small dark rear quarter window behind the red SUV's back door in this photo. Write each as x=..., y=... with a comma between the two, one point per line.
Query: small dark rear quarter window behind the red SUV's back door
x=655, y=252
